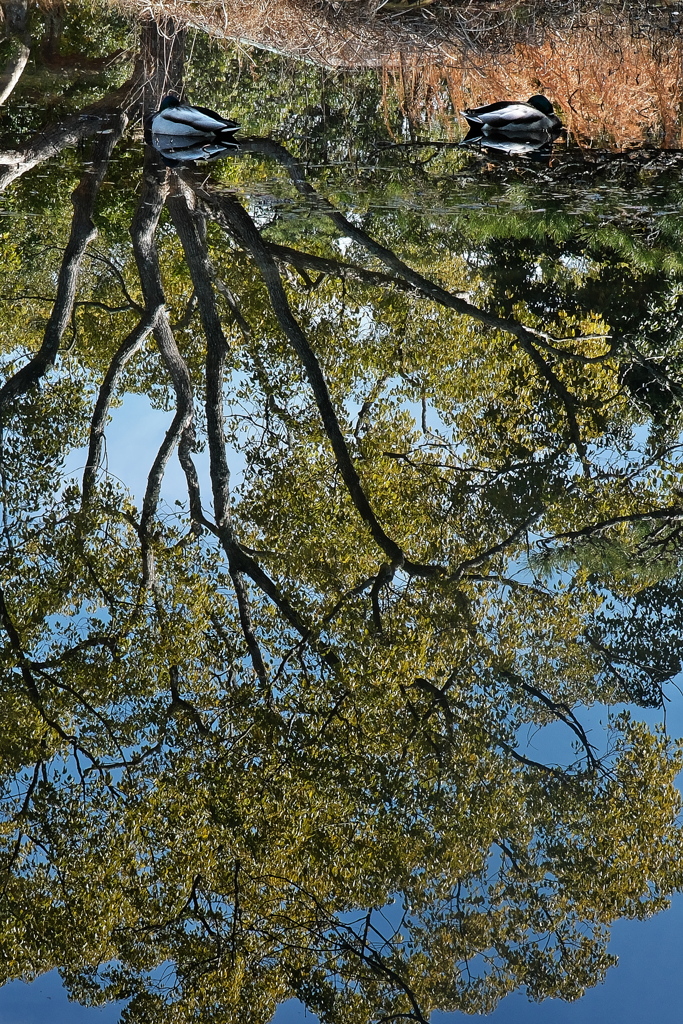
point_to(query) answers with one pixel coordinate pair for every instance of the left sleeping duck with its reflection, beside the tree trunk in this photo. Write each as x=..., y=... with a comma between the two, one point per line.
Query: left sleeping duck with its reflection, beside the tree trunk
x=183, y=134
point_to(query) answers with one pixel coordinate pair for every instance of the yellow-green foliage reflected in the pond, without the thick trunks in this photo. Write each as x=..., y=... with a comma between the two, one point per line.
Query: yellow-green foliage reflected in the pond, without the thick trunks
x=363, y=827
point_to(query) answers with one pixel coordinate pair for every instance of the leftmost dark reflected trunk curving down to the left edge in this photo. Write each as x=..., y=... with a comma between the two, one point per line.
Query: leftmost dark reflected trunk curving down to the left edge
x=82, y=233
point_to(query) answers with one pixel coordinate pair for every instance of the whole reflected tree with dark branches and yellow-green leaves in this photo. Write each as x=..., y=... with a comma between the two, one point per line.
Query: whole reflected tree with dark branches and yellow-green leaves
x=277, y=745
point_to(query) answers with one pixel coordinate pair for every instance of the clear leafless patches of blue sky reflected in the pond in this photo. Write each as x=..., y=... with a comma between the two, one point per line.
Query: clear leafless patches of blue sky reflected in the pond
x=649, y=985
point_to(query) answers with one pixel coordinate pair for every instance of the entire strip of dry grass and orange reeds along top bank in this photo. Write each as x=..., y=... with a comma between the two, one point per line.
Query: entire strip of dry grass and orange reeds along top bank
x=617, y=78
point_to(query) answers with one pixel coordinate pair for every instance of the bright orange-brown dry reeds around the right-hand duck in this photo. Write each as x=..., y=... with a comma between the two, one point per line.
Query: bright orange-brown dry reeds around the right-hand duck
x=616, y=84
